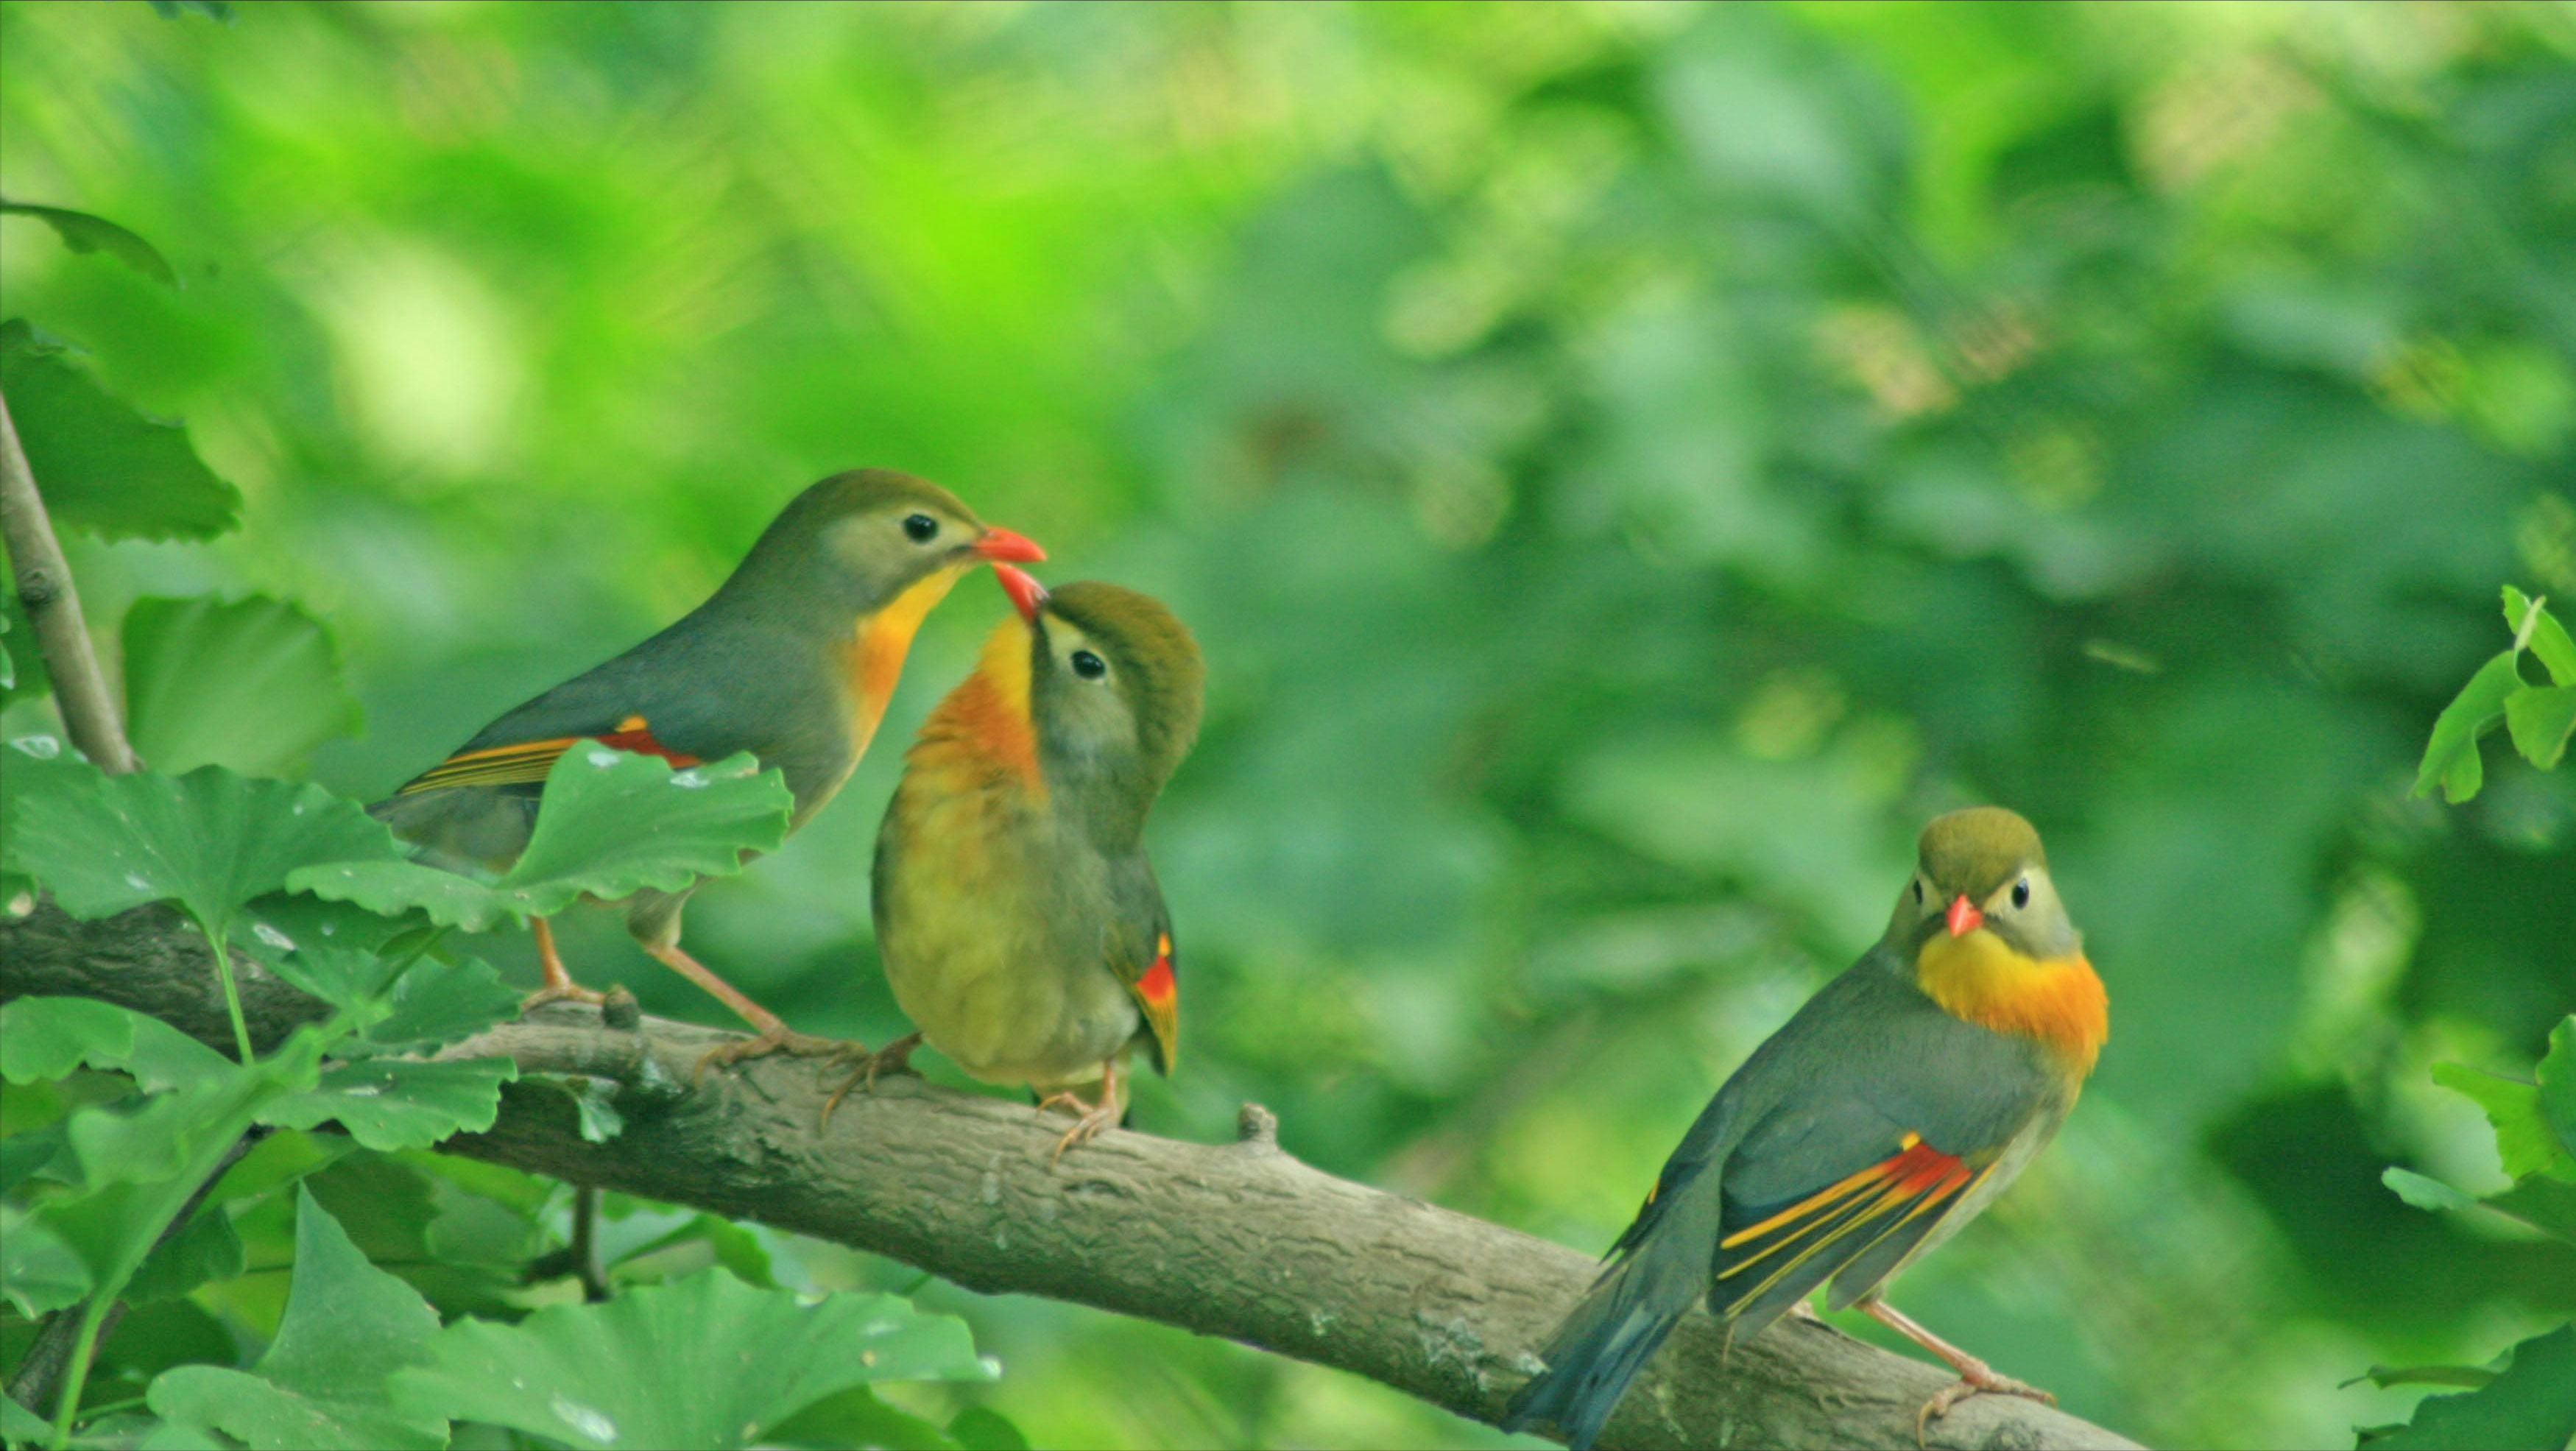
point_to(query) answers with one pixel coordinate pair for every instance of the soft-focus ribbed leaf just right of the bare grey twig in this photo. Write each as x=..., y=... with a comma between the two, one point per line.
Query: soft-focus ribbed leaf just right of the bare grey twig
x=246, y=684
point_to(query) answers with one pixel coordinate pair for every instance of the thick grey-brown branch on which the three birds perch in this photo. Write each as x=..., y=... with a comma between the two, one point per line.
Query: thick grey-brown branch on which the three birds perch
x=1233, y=1241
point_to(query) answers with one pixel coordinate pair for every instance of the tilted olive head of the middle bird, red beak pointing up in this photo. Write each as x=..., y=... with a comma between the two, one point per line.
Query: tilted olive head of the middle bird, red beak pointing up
x=1114, y=692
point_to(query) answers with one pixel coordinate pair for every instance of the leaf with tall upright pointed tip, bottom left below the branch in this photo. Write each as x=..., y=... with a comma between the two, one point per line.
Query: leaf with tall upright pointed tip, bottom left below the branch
x=321, y=1385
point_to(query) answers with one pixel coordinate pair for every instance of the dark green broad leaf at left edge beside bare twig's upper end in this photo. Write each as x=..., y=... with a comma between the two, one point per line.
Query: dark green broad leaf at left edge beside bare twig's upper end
x=102, y=465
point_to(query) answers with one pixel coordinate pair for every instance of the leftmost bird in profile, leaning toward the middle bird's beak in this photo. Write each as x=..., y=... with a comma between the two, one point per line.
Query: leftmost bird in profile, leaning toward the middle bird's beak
x=792, y=661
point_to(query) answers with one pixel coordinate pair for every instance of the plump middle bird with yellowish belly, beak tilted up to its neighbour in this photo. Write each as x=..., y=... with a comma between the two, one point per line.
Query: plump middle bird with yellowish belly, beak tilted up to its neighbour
x=1016, y=911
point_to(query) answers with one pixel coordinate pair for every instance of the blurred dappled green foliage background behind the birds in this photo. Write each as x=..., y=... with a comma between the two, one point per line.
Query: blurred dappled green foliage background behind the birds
x=1627, y=468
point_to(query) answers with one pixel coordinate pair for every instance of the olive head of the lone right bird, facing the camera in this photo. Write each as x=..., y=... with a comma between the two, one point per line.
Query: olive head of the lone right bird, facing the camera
x=1982, y=870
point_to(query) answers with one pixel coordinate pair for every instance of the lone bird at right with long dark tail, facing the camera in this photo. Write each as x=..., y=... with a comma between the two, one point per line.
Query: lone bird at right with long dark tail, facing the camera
x=1877, y=1122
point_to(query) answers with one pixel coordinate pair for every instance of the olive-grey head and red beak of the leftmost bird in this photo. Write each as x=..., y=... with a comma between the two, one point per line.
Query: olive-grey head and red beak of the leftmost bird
x=851, y=545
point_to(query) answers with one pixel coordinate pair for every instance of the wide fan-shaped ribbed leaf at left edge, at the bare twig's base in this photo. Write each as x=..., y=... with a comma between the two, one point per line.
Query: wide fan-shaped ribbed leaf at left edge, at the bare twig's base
x=210, y=839
